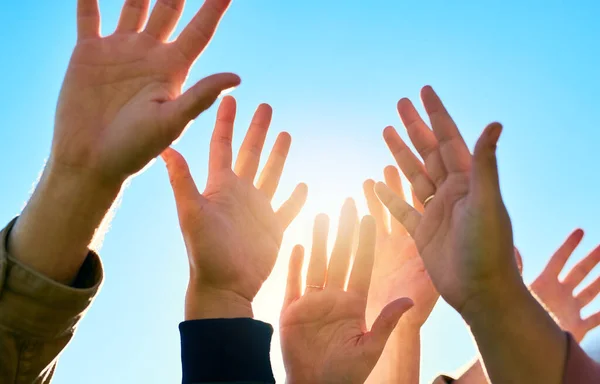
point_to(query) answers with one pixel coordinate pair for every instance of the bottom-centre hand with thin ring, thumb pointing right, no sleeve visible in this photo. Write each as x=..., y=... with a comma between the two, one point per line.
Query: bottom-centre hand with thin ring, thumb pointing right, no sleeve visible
x=324, y=337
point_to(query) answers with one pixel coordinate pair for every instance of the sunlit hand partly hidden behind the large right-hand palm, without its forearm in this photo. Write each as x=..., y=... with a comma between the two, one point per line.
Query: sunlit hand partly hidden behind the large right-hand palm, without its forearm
x=398, y=269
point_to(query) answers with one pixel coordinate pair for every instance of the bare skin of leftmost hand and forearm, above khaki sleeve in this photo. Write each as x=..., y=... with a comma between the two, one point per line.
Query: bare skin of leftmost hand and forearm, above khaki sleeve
x=120, y=106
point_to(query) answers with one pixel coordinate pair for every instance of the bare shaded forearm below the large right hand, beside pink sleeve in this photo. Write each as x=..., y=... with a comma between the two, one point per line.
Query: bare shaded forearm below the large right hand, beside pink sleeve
x=517, y=339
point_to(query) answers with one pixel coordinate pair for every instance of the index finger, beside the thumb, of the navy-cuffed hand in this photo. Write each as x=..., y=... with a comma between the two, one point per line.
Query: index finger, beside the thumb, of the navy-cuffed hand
x=220, y=156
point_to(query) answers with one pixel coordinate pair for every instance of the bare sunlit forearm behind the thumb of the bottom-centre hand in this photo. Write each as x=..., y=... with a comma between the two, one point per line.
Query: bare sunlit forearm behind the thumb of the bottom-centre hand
x=400, y=361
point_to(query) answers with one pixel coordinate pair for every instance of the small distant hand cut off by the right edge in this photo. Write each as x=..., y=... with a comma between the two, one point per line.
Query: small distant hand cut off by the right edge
x=558, y=297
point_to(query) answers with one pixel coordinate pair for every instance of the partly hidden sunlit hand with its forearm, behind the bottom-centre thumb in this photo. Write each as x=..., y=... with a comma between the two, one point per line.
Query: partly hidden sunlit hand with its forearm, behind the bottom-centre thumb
x=398, y=270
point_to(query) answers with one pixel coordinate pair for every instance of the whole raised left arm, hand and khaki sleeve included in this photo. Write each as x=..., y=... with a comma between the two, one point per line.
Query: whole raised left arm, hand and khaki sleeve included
x=110, y=123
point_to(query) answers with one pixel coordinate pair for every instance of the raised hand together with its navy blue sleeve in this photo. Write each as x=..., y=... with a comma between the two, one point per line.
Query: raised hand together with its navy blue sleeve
x=232, y=236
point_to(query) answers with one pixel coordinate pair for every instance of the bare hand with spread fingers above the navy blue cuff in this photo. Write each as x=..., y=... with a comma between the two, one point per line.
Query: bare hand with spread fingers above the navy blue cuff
x=231, y=233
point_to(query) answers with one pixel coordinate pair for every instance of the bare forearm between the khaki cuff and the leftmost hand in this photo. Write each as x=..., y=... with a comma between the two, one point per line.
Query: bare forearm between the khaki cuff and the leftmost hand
x=59, y=222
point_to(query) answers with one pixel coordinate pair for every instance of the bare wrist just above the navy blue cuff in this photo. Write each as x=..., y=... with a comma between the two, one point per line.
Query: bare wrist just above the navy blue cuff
x=202, y=302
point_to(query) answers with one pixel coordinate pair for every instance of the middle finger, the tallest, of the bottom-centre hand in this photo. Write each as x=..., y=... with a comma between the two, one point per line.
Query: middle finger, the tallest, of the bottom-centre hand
x=340, y=256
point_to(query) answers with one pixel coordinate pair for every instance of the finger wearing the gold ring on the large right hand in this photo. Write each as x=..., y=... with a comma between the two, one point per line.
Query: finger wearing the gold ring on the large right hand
x=410, y=165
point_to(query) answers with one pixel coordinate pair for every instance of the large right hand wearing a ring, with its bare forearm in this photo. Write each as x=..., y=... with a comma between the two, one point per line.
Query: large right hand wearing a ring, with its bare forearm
x=464, y=237
